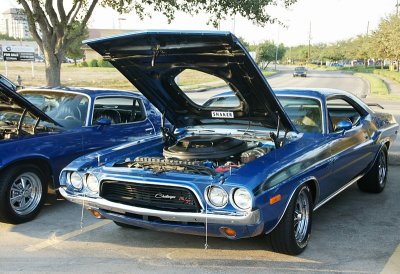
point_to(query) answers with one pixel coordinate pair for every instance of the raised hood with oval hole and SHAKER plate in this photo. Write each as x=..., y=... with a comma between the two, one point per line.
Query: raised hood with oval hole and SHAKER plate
x=151, y=60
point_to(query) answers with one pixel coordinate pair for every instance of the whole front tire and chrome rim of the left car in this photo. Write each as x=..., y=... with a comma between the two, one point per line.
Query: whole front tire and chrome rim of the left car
x=23, y=190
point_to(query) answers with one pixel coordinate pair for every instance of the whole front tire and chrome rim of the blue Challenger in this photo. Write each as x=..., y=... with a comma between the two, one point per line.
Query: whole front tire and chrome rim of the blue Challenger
x=293, y=232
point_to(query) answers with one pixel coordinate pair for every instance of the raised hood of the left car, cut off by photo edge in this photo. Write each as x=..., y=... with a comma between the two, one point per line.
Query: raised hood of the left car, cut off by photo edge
x=10, y=98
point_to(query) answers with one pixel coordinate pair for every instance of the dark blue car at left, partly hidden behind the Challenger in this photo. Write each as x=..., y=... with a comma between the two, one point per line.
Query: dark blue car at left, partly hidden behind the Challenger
x=42, y=130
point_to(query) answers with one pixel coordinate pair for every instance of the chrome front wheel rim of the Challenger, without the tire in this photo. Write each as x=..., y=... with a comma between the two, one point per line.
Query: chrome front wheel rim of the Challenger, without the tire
x=301, y=218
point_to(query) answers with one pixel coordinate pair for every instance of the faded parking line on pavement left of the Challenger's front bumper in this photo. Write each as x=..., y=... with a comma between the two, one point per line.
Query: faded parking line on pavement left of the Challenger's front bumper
x=58, y=239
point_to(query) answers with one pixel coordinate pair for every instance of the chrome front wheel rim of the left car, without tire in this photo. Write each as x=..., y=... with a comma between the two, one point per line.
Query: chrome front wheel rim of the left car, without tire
x=25, y=193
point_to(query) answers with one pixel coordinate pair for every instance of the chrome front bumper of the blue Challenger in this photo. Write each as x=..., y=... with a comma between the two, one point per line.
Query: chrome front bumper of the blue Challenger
x=216, y=217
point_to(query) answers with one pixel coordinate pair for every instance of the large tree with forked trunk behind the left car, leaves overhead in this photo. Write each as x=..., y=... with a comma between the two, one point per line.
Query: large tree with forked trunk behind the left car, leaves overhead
x=52, y=25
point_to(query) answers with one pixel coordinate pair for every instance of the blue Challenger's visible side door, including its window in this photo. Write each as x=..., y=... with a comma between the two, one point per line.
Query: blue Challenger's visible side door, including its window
x=352, y=150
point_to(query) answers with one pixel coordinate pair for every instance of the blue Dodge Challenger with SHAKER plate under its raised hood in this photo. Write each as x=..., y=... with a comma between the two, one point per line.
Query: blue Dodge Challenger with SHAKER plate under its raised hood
x=256, y=164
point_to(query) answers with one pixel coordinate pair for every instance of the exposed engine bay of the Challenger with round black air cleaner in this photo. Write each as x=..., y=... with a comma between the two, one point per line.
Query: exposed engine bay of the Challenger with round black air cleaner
x=204, y=154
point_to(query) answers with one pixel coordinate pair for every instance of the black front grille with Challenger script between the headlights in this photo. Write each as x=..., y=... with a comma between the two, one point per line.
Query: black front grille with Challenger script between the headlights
x=160, y=197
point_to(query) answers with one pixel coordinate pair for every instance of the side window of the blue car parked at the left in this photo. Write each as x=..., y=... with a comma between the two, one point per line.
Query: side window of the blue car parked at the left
x=120, y=110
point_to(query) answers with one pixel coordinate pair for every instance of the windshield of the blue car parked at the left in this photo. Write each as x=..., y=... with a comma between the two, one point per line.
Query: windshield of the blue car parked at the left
x=68, y=109
